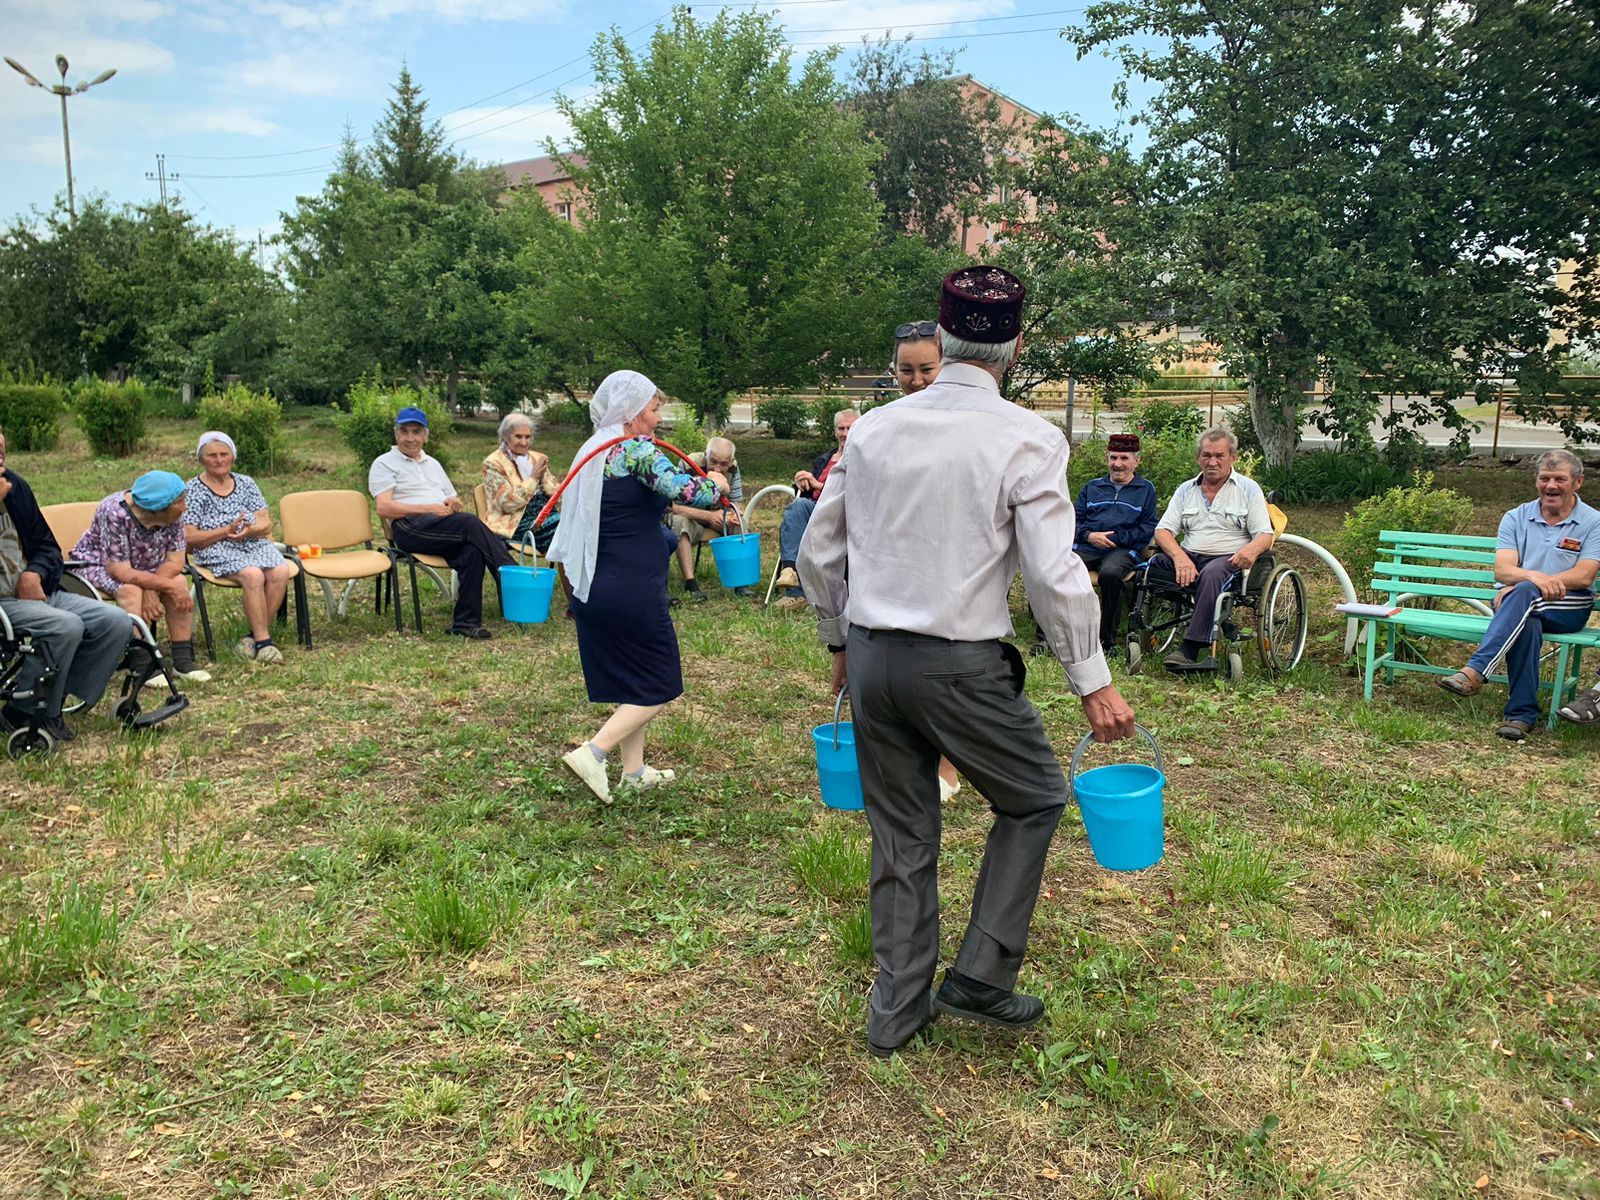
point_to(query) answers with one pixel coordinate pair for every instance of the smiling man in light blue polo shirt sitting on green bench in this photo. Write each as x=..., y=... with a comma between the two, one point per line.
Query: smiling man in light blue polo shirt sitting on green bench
x=1546, y=556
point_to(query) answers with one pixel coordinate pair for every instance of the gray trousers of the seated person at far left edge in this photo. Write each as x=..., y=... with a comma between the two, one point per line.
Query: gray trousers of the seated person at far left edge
x=86, y=639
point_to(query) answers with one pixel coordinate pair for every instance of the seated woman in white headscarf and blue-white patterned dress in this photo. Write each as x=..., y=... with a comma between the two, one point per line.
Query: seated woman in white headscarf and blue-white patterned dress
x=230, y=530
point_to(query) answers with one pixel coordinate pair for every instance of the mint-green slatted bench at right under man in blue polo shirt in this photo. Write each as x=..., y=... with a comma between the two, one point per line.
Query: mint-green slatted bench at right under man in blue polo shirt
x=1457, y=569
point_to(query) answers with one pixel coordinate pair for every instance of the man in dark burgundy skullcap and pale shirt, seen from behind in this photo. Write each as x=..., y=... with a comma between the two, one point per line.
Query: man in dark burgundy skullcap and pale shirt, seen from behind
x=922, y=654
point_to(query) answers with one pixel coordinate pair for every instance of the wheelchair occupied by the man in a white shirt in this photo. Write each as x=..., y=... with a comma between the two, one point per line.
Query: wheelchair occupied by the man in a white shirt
x=1271, y=593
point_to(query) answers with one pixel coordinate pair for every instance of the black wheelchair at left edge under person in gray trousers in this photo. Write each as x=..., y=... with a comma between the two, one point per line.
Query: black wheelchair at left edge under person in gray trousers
x=142, y=663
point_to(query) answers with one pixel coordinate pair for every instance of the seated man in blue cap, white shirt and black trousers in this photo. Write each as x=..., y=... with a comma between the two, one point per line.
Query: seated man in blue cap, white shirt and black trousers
x=420, y=502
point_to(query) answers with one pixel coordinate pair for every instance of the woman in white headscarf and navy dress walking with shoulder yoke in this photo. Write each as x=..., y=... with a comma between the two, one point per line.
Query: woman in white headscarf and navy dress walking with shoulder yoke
x=612, y=546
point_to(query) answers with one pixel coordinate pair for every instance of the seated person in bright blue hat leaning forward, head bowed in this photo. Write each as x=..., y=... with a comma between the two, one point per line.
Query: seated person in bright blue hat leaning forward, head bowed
x=134, y=553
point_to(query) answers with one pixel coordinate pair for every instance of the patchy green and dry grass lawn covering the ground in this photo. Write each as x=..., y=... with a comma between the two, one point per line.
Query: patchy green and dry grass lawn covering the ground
x=348, y=929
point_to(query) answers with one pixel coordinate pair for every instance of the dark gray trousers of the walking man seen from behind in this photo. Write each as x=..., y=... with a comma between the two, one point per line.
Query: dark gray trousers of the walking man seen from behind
x=913, y=698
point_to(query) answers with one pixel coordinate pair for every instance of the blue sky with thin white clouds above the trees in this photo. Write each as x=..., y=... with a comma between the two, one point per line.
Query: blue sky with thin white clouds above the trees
x=247, y=100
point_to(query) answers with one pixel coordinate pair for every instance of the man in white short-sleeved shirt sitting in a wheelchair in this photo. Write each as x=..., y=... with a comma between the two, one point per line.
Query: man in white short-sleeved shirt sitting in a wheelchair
x=1222, y=521
